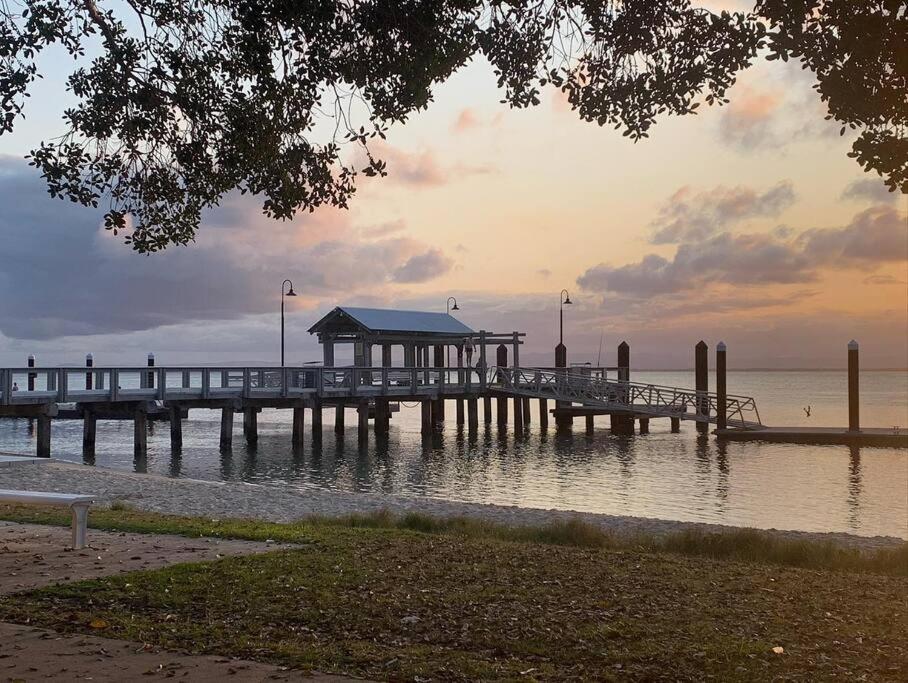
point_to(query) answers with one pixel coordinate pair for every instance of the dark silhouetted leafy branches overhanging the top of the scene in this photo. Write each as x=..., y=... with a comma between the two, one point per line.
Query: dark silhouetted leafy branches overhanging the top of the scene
x=184, y=101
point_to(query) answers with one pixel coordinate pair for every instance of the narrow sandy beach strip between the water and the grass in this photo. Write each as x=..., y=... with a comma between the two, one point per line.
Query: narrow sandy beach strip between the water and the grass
x=214, y=499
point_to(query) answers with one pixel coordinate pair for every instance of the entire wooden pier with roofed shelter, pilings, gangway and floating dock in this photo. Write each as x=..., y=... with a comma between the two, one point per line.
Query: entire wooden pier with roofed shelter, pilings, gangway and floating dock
x=505, y=390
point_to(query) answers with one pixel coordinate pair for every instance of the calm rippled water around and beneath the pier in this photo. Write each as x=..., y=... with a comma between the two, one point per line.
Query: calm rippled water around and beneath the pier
x=672, y=476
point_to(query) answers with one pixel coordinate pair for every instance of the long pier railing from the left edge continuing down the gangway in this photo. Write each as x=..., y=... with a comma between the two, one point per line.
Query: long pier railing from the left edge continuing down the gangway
x=579, y=384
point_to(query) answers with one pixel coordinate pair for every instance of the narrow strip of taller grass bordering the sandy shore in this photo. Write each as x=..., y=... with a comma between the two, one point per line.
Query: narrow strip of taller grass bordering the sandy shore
x=740, y=545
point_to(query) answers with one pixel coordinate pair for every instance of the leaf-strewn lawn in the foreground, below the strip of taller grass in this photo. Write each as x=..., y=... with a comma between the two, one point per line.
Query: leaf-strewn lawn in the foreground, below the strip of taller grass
x=393, y=603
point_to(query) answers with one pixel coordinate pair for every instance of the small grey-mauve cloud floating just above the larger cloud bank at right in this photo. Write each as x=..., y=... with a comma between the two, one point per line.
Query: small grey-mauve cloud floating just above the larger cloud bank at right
x=688, y=216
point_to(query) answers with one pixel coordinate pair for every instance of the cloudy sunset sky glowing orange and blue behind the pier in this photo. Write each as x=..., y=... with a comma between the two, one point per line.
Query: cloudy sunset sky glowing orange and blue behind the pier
x=746, y=223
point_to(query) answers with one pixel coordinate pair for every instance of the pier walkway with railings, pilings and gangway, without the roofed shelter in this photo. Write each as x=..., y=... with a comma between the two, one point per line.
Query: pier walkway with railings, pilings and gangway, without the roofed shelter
x=143, y=393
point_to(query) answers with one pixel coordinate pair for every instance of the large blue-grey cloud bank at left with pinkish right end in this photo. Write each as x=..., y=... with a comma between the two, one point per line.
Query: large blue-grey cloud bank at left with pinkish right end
x=61, y=274
